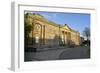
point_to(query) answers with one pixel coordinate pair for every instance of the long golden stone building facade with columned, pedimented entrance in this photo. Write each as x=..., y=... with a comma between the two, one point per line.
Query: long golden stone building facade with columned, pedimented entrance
x=48, y=34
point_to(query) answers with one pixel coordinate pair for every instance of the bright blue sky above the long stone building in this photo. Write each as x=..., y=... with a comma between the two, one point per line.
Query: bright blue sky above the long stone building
x=76, y=21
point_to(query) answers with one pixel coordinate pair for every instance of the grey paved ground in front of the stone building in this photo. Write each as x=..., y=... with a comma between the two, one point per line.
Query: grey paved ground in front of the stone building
x=56, y=54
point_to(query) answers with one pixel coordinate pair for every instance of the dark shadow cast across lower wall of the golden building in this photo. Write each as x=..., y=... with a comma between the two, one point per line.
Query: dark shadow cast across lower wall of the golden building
x=47, y=43
